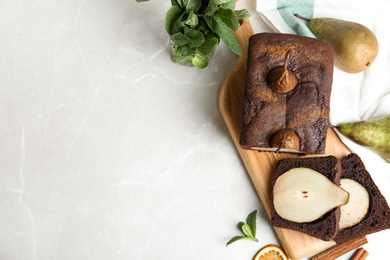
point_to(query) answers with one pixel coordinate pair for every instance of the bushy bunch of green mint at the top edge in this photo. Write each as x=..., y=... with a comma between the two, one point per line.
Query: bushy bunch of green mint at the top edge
x=197, y=26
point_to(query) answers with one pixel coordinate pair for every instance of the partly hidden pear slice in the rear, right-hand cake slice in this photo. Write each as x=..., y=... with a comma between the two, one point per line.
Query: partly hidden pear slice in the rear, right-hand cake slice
x=357, y=207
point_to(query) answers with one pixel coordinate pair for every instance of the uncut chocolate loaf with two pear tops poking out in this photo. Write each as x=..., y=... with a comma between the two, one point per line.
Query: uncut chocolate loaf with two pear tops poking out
x=288, y=86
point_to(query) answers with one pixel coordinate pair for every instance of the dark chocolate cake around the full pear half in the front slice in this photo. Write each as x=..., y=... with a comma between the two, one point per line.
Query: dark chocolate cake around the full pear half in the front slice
x=327, y=226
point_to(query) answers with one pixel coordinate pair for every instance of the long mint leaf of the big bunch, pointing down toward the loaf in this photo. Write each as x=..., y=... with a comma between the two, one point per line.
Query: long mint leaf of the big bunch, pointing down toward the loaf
x=222, y=30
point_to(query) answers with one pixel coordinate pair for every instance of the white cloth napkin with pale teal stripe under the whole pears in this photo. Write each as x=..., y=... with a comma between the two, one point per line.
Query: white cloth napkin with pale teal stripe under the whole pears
x=355, y=97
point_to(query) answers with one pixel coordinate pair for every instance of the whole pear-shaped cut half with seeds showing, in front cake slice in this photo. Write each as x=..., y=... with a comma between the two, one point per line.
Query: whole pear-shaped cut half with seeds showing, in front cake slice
x=304, y=195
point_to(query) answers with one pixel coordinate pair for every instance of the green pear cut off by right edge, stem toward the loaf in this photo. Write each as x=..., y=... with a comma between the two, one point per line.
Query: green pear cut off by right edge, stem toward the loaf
x=374, y=134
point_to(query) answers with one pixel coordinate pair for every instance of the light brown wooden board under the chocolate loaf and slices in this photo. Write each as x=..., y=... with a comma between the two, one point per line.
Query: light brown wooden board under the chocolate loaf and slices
x=261, y=165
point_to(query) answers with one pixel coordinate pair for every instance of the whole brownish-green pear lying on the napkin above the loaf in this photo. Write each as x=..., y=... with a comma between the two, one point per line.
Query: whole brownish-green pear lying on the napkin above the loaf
x=355, y=46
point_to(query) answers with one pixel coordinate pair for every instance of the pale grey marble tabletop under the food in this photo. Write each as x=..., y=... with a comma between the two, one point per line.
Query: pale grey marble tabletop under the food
x=108, y=150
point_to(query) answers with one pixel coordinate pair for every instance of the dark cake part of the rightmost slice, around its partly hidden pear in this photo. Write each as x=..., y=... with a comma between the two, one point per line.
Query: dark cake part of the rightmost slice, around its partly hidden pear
x=378, y=215
